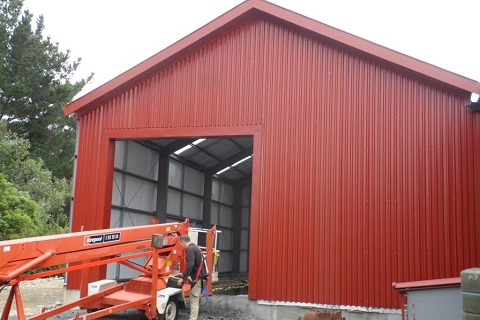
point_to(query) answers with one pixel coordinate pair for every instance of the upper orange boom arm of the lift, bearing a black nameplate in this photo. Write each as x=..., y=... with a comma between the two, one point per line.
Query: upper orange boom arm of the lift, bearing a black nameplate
x=19, y=256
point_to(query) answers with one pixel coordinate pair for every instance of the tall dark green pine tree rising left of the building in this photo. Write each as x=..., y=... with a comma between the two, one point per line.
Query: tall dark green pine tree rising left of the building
x=35, y=83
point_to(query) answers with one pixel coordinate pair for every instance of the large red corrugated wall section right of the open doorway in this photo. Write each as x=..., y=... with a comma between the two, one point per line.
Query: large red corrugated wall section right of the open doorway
x=374, y=177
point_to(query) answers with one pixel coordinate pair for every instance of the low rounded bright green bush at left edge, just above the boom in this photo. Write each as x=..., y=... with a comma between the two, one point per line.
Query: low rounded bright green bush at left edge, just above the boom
x=18, y=213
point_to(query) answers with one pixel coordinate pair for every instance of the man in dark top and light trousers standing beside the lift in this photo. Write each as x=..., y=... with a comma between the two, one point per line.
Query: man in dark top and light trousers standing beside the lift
x=192, y=273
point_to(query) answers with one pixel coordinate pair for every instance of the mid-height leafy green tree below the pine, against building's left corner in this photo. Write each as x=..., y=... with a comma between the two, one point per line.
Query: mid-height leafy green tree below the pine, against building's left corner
x=28, y=175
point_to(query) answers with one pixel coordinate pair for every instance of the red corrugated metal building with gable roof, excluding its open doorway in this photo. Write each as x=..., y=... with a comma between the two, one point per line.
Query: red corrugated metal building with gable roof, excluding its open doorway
x=364, y=165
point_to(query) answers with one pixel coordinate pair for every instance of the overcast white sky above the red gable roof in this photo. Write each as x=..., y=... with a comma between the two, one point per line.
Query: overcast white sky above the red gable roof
x=111, y=36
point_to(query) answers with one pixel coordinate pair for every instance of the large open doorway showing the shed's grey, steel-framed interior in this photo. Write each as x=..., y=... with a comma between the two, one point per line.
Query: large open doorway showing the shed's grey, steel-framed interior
x=207, y=180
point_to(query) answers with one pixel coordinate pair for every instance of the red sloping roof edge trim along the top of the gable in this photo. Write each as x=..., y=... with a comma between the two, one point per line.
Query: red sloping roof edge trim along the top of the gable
x=264, y=9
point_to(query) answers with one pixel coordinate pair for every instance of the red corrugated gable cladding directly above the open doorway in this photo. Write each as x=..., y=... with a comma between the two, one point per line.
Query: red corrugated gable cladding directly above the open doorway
x=204, y=89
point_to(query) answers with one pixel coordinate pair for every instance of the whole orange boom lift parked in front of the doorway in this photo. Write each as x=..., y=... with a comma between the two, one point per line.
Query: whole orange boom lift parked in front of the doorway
x=149, y=292
